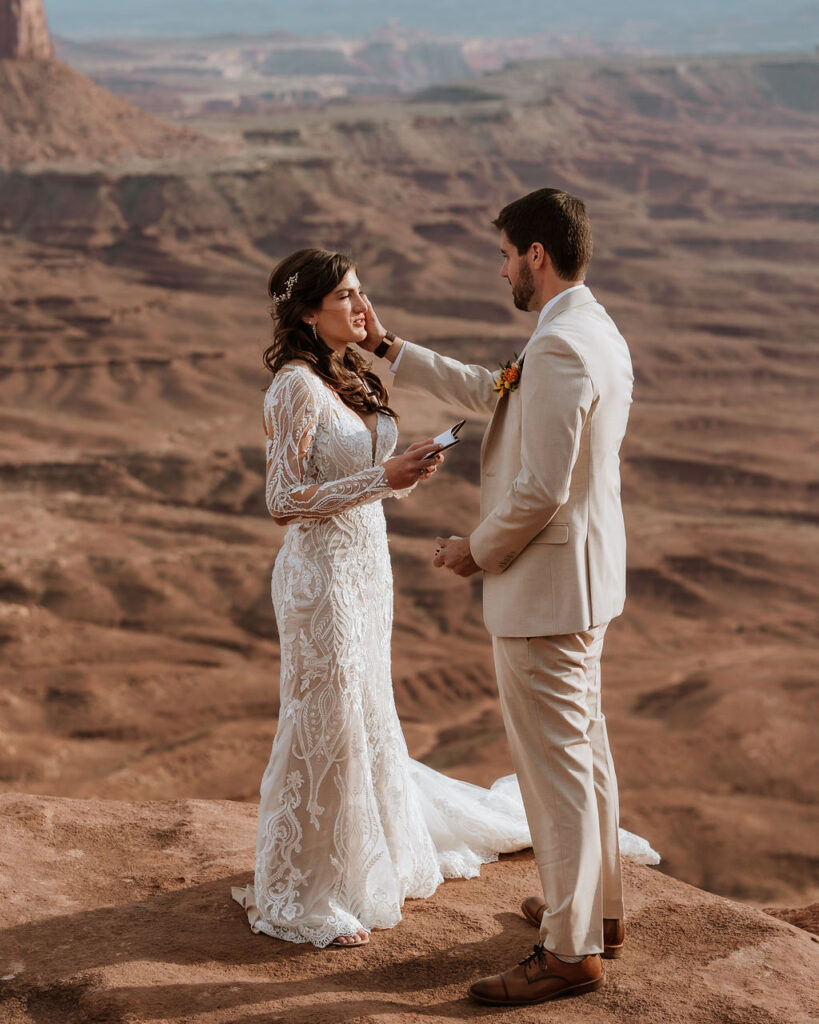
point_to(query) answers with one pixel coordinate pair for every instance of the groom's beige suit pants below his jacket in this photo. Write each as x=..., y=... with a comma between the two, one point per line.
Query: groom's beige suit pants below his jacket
x=551, y=701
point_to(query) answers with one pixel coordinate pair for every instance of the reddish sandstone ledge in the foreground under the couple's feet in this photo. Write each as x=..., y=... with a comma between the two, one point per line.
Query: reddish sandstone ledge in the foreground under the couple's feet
x=121, y=914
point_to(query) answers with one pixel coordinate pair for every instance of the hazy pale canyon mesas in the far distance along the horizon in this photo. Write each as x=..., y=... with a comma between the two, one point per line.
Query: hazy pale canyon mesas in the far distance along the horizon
x=282, y=71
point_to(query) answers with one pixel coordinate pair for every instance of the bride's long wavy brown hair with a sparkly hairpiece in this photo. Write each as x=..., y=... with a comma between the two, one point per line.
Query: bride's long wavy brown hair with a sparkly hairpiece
x=298, y=285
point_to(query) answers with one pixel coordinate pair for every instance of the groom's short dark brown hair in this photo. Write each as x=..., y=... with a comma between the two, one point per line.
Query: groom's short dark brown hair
x=558, y=221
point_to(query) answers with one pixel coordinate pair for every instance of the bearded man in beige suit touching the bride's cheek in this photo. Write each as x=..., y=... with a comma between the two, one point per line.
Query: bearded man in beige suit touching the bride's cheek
x=552, y=547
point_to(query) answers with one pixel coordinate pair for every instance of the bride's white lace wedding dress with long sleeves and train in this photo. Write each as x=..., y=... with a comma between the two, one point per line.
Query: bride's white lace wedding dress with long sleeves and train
x=351, y=827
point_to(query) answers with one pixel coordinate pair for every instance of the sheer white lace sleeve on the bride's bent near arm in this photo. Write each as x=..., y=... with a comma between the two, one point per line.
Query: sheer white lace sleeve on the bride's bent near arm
x=291, y=418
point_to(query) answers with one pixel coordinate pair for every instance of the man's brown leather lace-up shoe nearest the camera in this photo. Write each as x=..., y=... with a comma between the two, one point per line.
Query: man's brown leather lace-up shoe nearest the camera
x=538, y=978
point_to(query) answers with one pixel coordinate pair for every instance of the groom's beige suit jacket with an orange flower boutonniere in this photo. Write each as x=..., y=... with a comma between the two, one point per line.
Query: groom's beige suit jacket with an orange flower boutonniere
x=551, y=540
